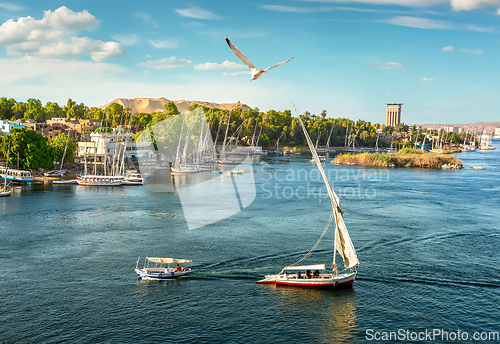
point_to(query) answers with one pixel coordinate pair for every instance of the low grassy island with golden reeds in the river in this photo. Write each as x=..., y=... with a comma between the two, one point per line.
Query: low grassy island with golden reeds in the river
x=404, y=158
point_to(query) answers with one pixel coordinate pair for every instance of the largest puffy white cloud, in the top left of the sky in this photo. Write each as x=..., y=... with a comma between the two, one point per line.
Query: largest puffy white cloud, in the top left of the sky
x=53, y=36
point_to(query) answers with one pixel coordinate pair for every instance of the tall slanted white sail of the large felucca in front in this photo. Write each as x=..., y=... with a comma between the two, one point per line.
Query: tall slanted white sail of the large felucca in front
x=343, y=243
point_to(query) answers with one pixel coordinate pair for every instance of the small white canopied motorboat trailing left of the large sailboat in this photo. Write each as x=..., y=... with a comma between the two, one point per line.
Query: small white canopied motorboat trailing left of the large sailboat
x=164, y=268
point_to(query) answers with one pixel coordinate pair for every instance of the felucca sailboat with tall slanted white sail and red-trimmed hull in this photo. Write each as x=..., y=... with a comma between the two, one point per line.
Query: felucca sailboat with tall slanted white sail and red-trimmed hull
x=320, y=277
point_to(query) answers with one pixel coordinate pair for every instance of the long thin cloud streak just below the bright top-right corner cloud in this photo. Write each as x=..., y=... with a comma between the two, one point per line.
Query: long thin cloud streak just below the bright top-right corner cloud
x=430, y=24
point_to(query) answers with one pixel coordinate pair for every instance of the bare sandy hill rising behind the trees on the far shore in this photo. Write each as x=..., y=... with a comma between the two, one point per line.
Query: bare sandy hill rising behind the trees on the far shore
x=157, y=104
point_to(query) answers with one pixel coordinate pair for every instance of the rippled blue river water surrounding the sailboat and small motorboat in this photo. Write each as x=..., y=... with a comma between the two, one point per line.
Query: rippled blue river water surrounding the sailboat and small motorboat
x=428, y=242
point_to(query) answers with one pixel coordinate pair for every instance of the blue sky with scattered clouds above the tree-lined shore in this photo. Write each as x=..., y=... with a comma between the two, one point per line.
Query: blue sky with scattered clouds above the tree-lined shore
x=438, y=57
